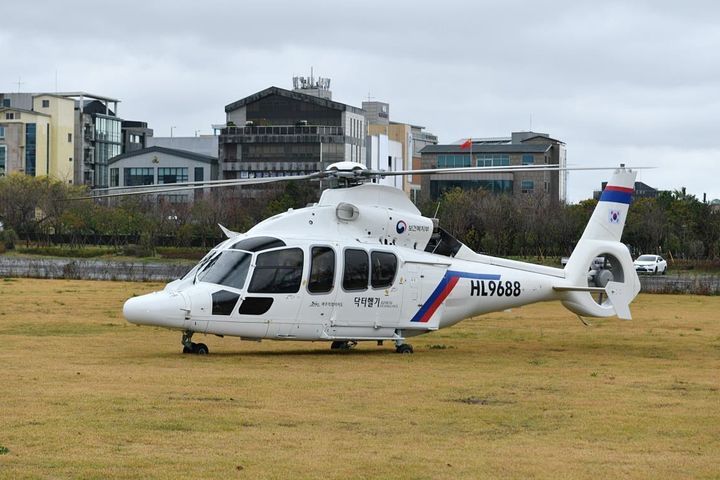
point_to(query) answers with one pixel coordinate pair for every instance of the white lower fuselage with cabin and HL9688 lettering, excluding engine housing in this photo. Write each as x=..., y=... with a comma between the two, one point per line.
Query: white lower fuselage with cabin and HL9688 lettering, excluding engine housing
x=312, y=289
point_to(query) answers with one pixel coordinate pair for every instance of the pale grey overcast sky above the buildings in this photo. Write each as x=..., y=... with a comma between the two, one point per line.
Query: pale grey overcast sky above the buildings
x=618, y=81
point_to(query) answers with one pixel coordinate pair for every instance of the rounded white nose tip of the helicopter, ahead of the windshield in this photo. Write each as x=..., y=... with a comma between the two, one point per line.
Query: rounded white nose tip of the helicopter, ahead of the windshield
x=163, y=309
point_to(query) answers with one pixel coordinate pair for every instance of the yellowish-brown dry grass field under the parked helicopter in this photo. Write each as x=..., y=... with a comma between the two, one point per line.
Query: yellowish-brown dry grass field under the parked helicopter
x=530, y=393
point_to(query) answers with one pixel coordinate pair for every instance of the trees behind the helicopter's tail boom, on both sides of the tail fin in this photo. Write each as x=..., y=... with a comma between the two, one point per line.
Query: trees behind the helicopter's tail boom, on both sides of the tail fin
x=673, y=224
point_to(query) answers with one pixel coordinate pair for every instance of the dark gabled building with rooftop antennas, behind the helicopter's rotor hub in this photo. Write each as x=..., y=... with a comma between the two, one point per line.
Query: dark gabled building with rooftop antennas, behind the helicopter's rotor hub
x=278, y=132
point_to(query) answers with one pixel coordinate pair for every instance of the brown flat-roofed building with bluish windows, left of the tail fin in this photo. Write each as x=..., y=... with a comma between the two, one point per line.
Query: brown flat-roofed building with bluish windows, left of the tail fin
x=521, y=148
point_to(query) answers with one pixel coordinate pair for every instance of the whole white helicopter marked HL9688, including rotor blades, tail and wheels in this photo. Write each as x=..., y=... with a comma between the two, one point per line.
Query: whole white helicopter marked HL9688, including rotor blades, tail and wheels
x=363, y=264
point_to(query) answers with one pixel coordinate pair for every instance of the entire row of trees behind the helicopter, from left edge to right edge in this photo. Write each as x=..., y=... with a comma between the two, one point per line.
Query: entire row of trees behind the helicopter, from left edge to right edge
x=40, y=210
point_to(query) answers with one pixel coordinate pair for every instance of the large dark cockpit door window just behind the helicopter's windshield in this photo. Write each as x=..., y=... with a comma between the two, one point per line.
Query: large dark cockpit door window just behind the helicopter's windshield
x=279, y=271
